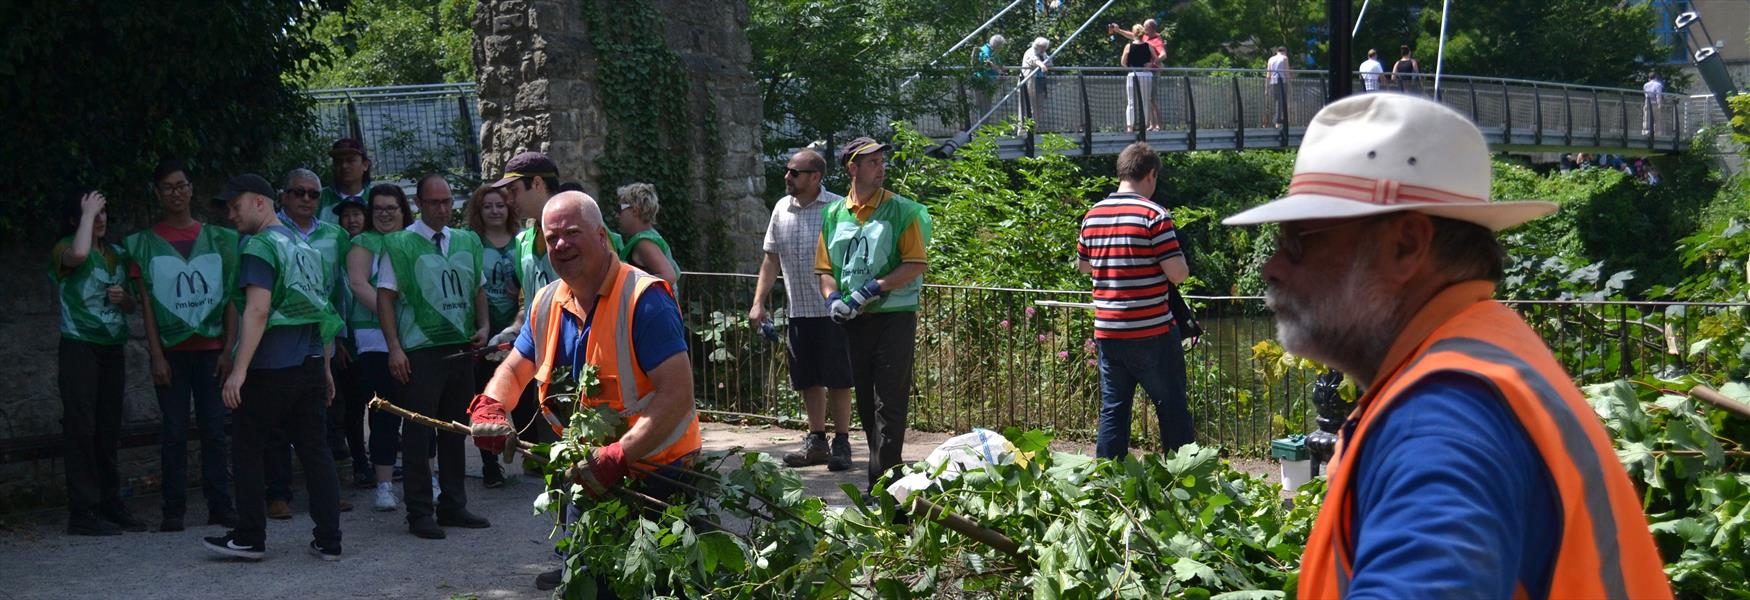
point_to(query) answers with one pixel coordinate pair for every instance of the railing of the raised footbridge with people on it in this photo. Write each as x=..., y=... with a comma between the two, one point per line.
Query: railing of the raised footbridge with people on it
x=1214, y=106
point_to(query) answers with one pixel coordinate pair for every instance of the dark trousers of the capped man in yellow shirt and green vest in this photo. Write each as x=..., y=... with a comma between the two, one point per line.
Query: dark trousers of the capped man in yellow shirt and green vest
x=881, y=365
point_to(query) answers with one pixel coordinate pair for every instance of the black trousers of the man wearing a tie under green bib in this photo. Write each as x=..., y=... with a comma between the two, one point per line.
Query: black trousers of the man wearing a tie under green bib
x=438, y=389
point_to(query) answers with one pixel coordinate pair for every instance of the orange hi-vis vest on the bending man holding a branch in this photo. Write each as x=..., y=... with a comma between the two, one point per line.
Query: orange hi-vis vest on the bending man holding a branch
x=610, y=351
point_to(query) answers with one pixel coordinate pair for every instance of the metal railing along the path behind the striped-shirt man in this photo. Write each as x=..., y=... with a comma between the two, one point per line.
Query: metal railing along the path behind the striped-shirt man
x=998, y=358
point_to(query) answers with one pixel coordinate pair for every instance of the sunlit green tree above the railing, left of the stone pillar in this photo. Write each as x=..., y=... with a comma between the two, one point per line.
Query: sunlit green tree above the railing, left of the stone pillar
x=396, y=43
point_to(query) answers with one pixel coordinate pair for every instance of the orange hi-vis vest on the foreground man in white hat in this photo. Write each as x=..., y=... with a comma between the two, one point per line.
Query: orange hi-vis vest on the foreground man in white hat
x=1606, y=550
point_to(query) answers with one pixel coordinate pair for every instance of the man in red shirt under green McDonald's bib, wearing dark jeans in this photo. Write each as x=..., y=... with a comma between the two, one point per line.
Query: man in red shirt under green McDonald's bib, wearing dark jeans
x=186, y=272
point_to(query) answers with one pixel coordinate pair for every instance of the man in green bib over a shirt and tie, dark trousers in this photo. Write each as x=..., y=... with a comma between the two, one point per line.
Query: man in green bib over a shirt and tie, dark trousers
x=431, y=303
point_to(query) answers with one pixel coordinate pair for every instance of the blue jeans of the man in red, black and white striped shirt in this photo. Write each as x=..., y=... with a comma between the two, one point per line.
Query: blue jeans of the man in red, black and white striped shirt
x=1159, y=366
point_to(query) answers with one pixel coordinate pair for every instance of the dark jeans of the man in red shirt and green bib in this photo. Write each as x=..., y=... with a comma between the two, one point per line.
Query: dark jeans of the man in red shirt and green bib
x=192, y=377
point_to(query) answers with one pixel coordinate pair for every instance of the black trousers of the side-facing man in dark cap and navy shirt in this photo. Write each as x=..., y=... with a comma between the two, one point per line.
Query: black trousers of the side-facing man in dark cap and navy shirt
x=284, y=405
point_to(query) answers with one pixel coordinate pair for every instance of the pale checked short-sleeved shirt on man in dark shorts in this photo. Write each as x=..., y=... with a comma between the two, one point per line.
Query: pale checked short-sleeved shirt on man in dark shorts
x=794, y=235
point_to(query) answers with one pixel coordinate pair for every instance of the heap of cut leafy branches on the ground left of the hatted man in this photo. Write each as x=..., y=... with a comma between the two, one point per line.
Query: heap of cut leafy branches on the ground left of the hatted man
x=1182, y=526
